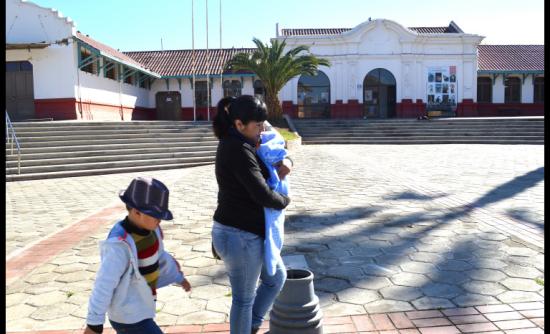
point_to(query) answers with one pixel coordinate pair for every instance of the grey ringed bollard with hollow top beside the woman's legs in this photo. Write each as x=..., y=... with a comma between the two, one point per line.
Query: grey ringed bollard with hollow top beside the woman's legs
x=296, y=310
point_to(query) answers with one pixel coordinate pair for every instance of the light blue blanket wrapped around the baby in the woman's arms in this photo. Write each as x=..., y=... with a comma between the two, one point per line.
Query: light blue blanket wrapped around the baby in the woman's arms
x=271, y=151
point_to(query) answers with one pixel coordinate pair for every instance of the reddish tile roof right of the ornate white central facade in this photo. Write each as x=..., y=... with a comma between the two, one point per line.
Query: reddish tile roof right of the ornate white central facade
x=510, y=57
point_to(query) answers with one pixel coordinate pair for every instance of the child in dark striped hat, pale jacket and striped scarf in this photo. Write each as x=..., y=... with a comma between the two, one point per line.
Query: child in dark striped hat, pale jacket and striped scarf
x=134, y=263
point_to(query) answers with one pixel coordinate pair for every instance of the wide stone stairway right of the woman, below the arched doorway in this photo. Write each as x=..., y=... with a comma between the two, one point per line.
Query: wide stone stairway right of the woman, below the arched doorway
x=489, y=130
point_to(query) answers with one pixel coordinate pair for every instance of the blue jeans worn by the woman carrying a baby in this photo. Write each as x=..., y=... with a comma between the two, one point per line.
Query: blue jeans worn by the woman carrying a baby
x=242, y=254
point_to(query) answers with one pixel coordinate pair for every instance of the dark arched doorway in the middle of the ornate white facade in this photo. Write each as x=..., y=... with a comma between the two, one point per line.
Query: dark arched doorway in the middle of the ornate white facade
x=379, y=94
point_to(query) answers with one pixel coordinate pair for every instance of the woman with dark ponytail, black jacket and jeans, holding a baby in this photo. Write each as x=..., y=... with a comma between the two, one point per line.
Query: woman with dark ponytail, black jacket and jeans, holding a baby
x=239, y=222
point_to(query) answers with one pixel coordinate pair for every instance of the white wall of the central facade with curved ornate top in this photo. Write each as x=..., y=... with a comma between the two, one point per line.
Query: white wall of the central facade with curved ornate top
x=386, y=44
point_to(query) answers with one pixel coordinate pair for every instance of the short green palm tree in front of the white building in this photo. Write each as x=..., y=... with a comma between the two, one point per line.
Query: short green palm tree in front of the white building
x=275, y=69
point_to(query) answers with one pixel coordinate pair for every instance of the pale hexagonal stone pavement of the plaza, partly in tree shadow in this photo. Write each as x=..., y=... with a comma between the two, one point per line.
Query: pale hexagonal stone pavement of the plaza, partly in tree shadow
x=384, y=228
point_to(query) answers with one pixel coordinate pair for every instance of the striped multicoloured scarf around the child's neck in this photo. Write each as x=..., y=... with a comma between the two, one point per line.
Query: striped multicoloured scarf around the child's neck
x=147, y=245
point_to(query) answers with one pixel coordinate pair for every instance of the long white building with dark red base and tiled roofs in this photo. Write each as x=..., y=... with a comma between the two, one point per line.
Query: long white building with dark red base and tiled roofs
x=379, y=69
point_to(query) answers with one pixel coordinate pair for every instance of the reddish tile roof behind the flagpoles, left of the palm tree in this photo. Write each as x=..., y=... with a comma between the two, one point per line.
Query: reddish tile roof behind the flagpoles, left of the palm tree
x=179, y=62
